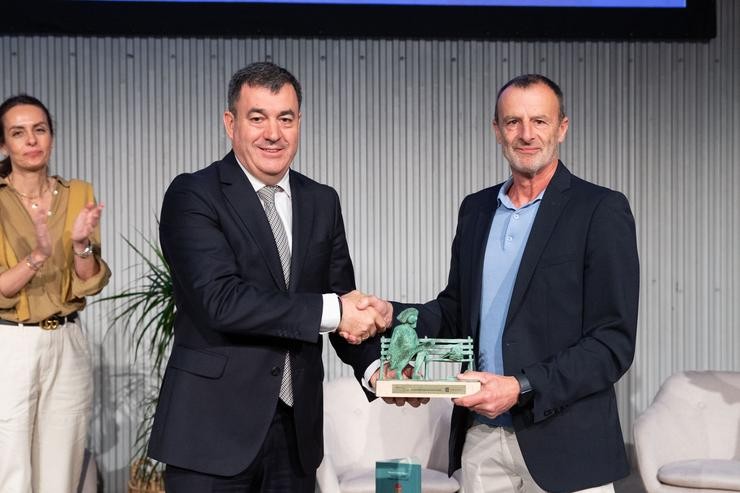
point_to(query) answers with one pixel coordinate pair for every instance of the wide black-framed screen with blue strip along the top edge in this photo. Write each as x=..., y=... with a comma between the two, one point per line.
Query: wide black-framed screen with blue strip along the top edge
x=422, y=19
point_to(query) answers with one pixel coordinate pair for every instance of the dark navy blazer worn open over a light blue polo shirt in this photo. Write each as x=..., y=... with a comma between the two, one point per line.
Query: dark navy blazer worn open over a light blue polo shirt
x=570, y=328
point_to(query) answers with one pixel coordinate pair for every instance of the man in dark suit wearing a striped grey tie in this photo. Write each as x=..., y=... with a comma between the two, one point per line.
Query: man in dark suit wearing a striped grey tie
x=257, y=253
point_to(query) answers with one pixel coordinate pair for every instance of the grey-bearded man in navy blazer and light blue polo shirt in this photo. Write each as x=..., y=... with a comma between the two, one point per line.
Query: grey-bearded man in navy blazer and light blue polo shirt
x=544, y=276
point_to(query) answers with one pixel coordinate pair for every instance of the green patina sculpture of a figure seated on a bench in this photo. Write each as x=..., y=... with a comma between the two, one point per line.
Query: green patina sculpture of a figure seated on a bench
x=405, y=346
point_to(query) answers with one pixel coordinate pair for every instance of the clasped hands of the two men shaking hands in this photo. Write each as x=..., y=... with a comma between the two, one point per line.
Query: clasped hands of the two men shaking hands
x=363, y=316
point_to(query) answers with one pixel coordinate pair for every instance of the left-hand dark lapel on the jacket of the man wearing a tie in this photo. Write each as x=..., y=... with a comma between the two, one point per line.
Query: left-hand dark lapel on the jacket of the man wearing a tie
x=242, y=197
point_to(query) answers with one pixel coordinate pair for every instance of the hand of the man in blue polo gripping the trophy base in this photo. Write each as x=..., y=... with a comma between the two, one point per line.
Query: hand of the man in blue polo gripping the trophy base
x=497, y=394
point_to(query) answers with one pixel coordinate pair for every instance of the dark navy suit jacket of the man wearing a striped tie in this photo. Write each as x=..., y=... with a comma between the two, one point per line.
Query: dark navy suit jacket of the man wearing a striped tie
x=236, y=319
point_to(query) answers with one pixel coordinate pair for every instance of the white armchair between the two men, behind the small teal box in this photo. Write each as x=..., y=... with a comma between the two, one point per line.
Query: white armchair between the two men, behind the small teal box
x=357, y=433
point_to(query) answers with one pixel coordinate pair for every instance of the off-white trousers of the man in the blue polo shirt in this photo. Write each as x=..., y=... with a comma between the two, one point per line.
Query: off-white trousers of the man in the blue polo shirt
x=492, y=463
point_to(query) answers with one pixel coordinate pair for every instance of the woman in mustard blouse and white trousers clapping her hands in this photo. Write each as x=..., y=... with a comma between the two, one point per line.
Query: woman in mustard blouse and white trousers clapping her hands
x=49, y=262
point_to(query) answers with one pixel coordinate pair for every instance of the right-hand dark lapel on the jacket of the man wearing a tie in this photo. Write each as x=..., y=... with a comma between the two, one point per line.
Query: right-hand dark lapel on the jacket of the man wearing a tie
x=303, y=205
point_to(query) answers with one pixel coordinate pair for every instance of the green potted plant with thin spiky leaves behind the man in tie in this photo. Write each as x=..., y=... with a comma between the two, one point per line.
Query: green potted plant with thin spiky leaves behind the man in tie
x=147, y=311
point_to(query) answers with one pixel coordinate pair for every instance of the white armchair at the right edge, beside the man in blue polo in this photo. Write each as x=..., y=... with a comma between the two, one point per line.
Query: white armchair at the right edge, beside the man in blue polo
x=688, y=439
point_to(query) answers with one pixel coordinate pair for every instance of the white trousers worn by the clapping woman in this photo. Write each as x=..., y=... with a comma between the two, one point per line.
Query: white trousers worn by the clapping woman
x=45, y=406
